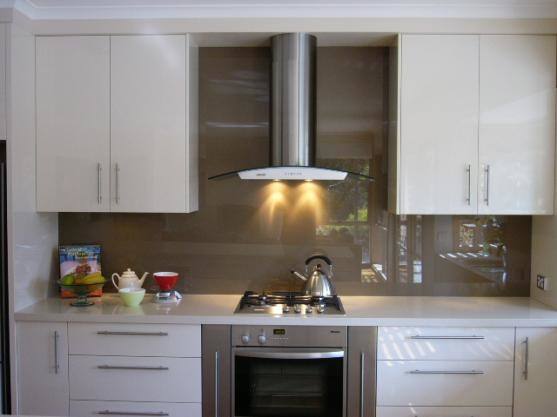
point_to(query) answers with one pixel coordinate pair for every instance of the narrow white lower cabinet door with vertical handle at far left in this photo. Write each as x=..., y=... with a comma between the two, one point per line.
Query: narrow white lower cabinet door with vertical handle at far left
x=42, y=369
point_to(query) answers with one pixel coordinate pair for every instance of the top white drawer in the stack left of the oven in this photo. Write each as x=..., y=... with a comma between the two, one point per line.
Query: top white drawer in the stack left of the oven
x=173, y=340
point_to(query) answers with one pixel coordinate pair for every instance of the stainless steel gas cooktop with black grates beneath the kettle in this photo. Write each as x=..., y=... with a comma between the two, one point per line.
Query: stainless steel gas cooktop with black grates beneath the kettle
x=284, y=302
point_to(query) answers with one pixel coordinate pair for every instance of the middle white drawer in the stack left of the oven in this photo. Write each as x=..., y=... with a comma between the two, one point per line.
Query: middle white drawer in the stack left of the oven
x=121, y=378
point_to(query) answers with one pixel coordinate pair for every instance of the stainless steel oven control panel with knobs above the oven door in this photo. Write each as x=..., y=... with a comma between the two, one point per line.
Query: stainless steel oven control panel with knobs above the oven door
x=291, y=336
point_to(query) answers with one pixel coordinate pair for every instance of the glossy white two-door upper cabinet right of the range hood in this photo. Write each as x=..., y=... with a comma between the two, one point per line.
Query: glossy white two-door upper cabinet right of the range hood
x=476, y=125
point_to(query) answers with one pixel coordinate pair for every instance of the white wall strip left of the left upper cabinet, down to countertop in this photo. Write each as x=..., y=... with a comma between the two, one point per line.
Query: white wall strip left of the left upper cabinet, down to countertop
x=33, y=237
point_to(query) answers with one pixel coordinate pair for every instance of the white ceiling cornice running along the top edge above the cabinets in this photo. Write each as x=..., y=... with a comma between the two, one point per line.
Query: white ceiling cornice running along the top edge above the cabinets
x=528, y=9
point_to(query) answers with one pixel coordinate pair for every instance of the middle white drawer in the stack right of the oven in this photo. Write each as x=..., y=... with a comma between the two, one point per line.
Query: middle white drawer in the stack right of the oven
x=445, y=383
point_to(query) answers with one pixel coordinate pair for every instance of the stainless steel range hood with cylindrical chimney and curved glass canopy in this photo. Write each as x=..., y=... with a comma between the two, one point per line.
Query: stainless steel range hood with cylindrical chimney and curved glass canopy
x=293, y=118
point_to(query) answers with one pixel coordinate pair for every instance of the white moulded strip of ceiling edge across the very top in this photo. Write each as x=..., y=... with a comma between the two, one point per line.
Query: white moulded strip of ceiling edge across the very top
x=164, y=9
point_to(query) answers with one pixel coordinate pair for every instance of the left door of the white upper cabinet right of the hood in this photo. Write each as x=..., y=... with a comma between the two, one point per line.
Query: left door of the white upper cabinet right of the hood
x=438, y=124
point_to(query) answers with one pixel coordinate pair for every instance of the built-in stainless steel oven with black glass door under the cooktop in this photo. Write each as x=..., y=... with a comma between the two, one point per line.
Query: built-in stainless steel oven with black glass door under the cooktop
x=289, y=371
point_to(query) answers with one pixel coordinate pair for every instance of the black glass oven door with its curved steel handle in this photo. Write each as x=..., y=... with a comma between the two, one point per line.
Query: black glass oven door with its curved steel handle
x=289, y=382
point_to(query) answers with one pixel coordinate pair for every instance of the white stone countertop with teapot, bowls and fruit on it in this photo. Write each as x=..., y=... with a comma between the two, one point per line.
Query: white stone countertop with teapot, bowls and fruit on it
x=360, y=311
